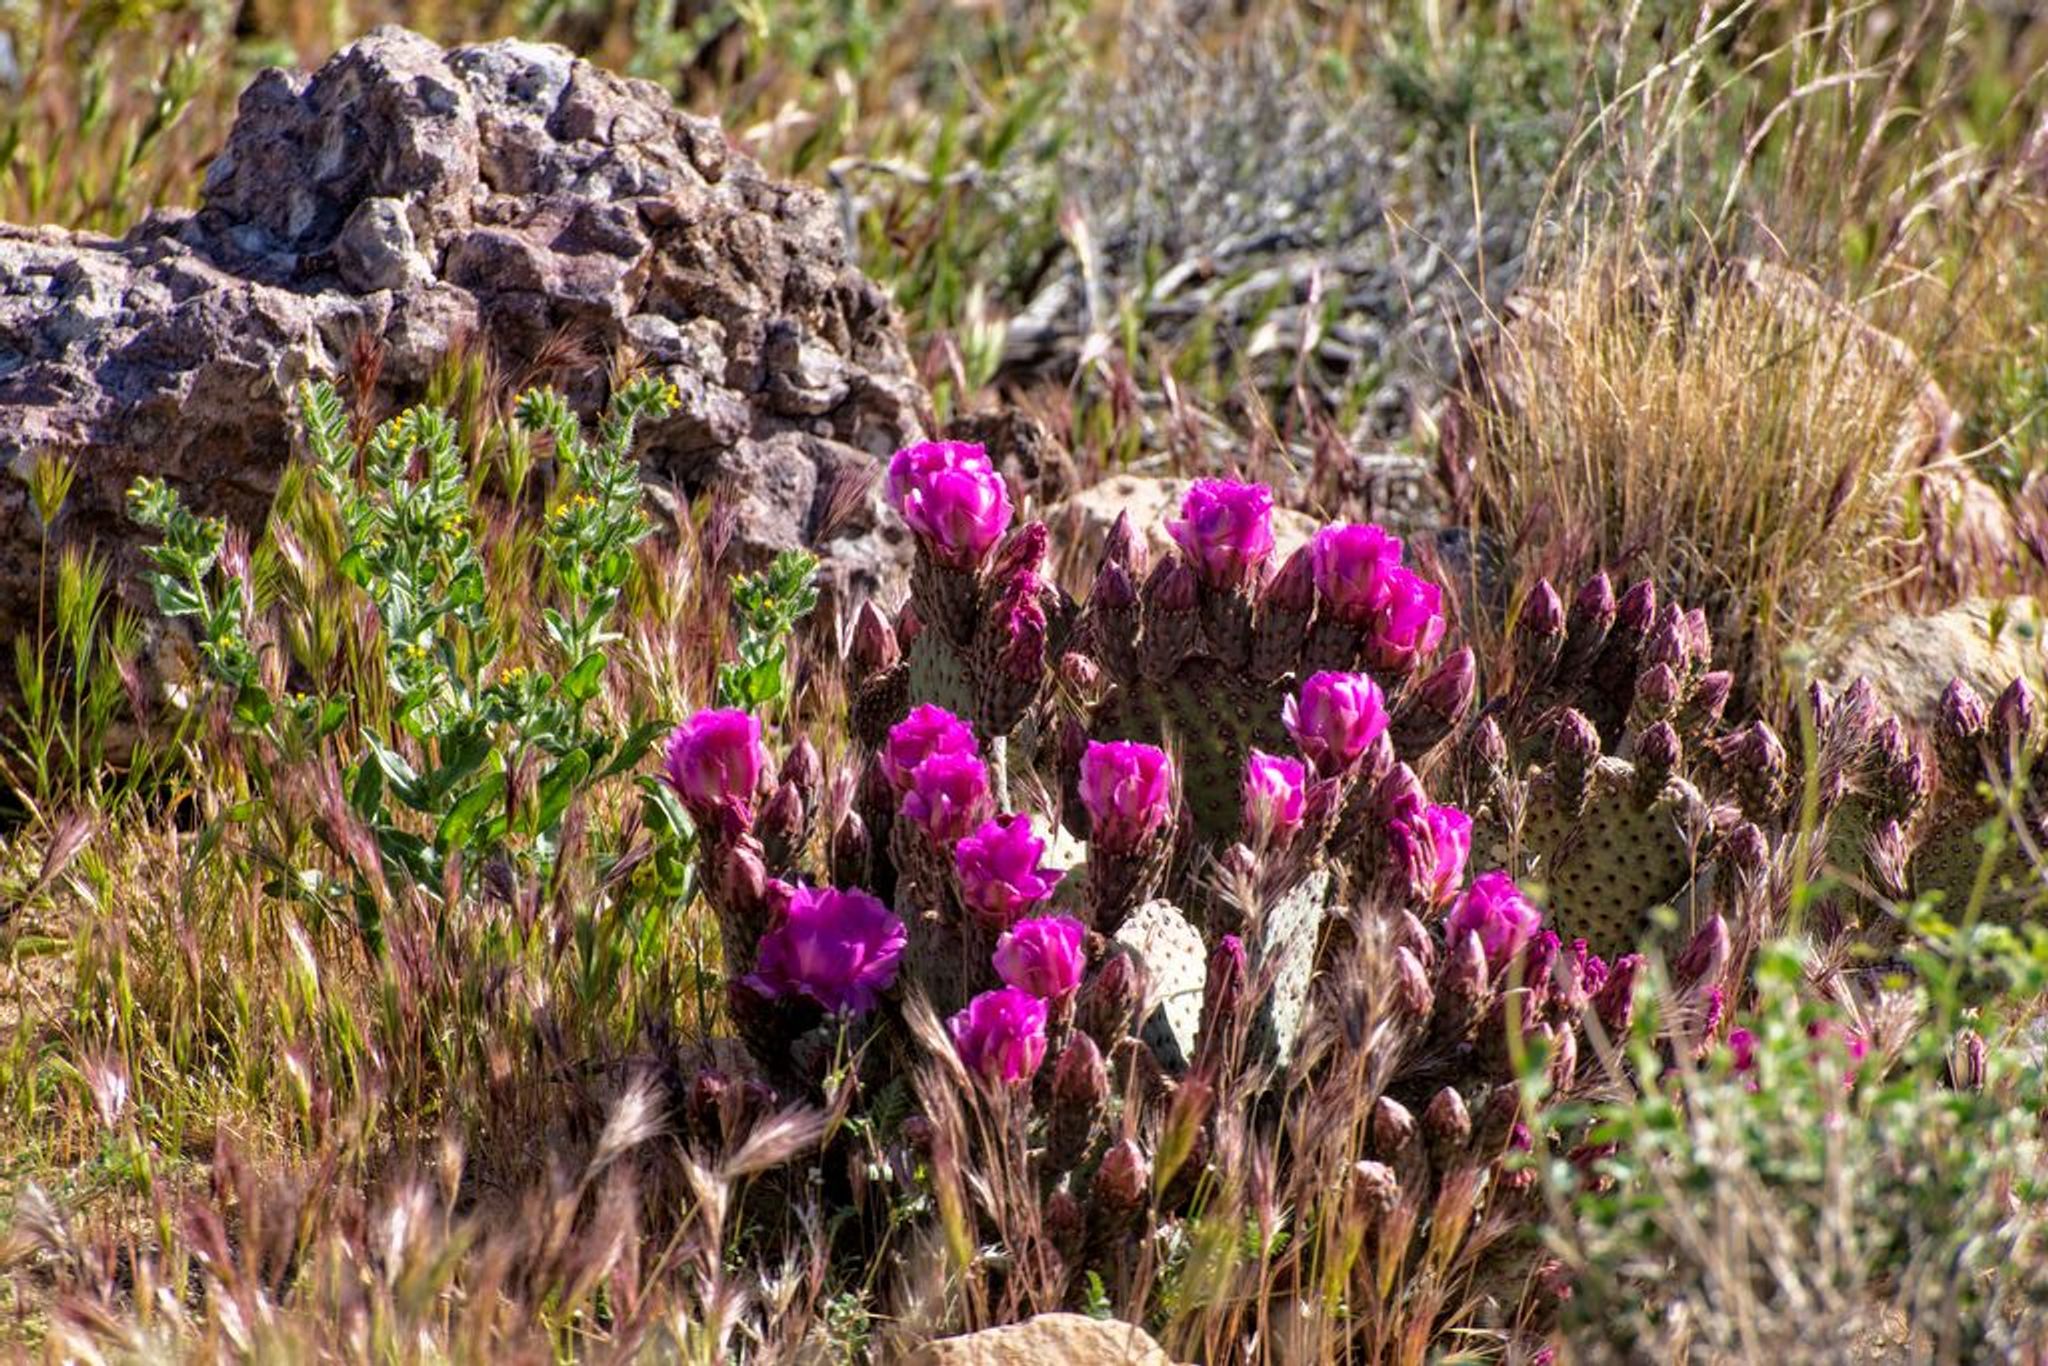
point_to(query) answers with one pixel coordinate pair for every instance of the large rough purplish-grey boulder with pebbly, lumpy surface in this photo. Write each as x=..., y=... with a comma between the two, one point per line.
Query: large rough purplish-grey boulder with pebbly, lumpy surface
x=421, y=198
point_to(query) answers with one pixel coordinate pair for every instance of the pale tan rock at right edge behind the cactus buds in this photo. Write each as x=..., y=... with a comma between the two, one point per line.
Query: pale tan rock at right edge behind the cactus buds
x=1910, y=660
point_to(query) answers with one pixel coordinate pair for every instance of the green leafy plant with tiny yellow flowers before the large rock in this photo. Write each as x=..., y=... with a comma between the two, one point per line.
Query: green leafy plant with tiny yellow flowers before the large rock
x=482, y=755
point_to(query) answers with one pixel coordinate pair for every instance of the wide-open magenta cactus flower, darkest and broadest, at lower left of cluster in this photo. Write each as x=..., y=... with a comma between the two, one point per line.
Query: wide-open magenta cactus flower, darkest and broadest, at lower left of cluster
x=833, y=947
